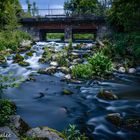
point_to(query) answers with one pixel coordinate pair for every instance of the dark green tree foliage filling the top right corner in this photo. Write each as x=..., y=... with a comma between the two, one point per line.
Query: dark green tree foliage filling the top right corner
x=124, y=15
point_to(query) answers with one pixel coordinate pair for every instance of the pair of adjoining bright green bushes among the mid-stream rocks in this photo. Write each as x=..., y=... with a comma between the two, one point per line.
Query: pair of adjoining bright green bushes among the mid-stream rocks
x=99, y=66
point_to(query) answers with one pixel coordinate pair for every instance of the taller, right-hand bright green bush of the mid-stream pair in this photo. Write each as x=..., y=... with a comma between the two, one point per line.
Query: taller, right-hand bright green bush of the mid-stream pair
x=101, y=65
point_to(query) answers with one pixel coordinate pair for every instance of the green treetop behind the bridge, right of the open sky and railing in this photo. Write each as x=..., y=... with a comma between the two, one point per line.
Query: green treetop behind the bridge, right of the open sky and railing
x=81, y=6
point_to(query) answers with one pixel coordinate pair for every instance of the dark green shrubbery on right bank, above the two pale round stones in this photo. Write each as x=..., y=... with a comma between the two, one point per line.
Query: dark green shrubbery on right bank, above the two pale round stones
x=124, y=45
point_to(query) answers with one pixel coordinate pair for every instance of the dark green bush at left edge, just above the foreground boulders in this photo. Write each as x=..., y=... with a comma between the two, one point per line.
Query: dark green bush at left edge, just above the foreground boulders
x=7, y=109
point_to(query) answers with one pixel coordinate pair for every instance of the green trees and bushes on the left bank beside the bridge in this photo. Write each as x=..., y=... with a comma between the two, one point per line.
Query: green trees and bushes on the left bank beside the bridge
x=10, y=36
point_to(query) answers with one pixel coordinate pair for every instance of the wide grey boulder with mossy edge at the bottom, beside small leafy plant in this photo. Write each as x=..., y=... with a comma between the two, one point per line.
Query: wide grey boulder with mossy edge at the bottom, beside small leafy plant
x=45, y=133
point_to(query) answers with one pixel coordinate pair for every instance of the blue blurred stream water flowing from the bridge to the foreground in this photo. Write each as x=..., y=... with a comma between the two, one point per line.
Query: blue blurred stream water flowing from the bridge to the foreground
x=83, y=108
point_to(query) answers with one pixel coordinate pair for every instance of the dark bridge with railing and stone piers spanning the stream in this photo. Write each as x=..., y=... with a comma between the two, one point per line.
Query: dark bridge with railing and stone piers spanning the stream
x=62, y=22
